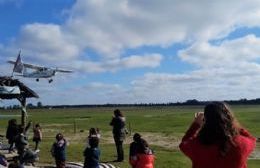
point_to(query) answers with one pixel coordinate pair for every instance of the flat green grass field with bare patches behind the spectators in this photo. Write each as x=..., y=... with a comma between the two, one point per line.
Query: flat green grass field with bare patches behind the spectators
x=162, y=127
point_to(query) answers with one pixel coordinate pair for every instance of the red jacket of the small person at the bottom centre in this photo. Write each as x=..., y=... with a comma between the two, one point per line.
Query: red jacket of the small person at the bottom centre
x=143, y=161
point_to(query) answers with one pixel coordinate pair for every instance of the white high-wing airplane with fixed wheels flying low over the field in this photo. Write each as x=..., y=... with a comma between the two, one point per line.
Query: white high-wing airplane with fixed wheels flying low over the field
x=36, y=71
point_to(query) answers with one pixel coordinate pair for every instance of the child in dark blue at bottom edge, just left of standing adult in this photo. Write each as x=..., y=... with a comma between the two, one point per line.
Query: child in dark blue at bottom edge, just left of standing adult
x=92, y=154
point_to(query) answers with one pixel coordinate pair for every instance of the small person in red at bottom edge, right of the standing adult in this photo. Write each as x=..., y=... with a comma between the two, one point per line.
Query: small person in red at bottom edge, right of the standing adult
x=144, y=157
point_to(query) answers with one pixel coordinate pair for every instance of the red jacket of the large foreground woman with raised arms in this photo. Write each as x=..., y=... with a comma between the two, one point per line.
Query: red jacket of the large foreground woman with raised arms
x=203, y=156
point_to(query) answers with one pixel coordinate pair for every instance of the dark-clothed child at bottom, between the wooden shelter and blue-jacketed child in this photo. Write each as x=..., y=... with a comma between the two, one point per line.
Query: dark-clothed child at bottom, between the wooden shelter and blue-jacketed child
x=58, y=151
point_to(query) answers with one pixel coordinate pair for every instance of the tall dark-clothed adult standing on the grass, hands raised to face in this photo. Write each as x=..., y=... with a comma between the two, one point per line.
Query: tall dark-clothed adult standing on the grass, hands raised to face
x=119, y=133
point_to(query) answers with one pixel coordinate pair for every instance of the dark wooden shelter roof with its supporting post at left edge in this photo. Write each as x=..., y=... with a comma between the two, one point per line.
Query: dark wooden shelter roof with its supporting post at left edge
x=24, y=92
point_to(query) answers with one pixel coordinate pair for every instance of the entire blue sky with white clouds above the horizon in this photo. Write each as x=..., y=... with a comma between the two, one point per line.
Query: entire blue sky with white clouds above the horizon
x=132, y=51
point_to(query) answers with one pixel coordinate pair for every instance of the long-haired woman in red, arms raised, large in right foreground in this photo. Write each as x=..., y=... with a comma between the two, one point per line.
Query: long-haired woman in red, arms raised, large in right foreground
x=216, y=140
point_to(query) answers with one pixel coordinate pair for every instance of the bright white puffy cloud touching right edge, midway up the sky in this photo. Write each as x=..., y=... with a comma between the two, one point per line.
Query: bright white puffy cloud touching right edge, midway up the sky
x=230, y=53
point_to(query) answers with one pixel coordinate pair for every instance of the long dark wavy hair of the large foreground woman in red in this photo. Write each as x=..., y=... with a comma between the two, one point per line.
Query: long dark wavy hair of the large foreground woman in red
x=219, y=127
